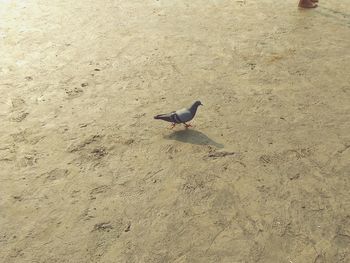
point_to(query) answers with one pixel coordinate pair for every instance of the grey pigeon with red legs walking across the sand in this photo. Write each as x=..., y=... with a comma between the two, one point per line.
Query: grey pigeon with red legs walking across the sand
x=180, y=116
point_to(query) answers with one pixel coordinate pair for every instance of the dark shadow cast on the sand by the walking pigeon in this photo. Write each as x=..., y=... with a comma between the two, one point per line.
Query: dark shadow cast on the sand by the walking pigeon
x=193, y=137
